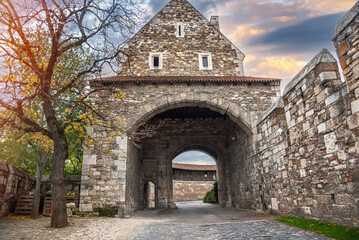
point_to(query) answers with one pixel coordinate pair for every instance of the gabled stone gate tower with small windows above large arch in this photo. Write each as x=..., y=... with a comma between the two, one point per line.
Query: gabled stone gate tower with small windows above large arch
x=181, y=68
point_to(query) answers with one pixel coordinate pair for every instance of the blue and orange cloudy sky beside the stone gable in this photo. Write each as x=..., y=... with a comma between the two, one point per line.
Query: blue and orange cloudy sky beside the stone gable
x=278, y=37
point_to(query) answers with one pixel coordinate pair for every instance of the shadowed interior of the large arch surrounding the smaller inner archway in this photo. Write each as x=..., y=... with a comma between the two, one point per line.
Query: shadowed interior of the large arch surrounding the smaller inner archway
x=188, y=128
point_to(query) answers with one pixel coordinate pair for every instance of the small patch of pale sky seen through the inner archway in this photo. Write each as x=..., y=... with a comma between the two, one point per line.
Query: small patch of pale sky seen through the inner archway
x=194, y=157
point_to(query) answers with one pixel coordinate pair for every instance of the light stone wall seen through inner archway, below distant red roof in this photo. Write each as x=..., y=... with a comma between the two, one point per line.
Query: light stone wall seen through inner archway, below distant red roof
x=190, y=190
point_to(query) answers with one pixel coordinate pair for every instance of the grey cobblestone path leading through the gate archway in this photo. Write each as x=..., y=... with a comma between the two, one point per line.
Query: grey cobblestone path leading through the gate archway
x=195, y=220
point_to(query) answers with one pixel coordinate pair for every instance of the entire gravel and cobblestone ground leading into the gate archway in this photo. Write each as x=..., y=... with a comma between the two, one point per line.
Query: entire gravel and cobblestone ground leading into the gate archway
x=192, y=220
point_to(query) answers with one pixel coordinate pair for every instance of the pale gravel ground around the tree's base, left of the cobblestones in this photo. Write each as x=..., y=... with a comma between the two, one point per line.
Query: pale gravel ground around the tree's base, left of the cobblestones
x=82, y=228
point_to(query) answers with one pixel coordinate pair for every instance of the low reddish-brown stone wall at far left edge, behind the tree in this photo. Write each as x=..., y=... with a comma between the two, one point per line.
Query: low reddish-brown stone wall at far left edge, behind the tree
x=12, y=182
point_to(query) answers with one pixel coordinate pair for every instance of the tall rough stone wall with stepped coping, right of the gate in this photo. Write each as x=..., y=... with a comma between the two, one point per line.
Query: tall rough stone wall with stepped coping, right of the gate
x=308, y=142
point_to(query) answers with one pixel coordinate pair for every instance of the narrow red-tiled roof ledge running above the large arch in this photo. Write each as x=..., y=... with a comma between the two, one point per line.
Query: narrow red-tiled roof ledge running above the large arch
x=184, y=79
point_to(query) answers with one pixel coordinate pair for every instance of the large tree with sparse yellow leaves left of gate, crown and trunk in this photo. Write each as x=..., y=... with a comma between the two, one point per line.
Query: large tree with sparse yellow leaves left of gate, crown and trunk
x=35, y=72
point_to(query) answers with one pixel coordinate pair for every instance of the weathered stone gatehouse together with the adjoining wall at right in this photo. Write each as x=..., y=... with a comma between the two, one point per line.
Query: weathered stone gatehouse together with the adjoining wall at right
x=296, y=154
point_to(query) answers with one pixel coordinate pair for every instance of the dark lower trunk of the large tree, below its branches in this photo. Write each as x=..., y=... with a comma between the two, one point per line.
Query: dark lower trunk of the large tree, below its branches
x=59, y=214
